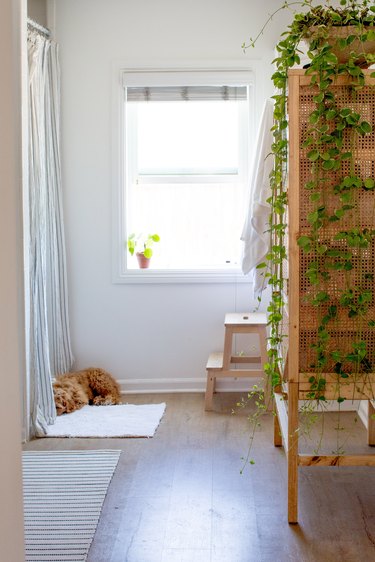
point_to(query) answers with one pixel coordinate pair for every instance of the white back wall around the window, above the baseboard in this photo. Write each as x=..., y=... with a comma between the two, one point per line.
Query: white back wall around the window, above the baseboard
x=140, y=332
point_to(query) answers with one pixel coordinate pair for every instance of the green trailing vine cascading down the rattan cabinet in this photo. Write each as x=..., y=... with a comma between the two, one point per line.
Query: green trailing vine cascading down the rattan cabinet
x=332, y=133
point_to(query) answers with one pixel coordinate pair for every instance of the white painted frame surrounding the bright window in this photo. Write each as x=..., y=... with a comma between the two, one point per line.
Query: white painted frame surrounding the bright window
x=120, y=256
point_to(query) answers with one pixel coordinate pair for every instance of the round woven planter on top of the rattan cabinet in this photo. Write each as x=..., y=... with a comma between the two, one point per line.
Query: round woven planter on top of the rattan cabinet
x=333, y=34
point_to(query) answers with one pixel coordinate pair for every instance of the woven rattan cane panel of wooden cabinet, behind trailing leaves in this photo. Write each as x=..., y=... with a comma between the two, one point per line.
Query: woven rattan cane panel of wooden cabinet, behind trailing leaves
x=343, y=329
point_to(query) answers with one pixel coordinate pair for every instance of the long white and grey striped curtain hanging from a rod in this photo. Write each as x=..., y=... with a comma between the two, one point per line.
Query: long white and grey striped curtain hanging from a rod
x=49, y=342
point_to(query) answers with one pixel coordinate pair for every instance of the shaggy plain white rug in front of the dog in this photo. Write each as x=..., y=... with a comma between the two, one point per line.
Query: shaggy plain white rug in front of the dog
x=123, y=420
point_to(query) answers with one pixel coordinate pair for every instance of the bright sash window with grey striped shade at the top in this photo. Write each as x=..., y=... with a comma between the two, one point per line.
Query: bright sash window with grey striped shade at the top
x=185, y=169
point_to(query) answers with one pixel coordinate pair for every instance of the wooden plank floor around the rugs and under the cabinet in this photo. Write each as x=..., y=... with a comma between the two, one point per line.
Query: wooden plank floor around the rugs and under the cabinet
x=180, y=497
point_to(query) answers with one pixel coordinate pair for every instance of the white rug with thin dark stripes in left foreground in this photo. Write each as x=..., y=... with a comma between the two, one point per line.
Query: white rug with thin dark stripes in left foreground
x=63, y=496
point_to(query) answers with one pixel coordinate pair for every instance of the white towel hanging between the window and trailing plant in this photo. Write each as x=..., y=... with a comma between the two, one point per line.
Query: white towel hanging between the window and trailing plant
x=255, y=233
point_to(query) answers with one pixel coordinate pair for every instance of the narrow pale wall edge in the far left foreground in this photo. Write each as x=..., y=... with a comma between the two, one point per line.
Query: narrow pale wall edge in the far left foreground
x=11, y=301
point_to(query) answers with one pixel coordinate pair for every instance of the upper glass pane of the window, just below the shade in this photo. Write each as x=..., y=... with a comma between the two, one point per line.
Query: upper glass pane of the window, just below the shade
x=197, y=137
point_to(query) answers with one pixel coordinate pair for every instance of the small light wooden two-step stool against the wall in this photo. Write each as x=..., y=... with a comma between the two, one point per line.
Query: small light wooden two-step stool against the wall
x=219, y=364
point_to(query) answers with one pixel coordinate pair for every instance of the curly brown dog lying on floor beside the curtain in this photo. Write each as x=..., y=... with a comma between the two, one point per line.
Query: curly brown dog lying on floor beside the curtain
x=72, y=391
